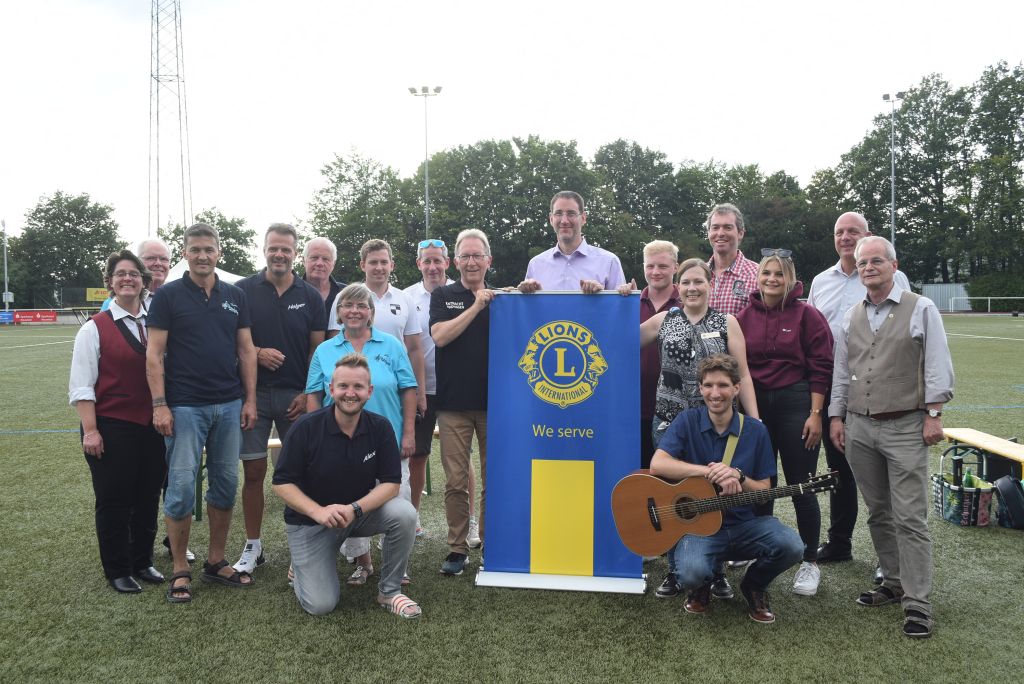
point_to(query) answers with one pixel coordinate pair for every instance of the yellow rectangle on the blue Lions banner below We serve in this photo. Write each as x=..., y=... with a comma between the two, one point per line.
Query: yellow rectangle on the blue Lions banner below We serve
x=562, y=522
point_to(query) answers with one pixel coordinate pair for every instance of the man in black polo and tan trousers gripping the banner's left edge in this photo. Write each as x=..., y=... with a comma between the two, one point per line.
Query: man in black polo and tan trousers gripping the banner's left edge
x=459, y=325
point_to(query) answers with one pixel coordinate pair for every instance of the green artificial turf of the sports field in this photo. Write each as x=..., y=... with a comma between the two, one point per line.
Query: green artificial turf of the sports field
x=62, y=623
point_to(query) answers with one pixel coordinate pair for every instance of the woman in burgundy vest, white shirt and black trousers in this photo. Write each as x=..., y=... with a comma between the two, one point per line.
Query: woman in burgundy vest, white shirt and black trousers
x=125, y=454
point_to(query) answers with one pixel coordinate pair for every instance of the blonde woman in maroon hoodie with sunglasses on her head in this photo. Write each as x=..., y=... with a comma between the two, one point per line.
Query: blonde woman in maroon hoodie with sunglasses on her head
x=790, y=355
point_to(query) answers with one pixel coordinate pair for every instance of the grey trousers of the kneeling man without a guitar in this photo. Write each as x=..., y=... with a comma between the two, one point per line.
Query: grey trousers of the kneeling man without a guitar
x=315, y=554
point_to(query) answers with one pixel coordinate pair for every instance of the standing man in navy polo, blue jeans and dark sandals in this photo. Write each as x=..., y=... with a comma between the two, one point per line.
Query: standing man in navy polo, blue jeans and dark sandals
x=202, y=325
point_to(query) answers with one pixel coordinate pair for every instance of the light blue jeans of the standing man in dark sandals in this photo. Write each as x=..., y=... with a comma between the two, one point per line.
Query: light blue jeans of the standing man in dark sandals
x=217, y=427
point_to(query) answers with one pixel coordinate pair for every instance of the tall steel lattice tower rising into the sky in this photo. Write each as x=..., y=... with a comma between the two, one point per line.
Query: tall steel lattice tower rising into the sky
x=170, y=168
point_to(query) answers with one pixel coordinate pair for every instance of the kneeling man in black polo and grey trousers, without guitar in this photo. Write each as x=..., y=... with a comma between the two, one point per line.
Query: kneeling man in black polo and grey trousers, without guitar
x=339, y=475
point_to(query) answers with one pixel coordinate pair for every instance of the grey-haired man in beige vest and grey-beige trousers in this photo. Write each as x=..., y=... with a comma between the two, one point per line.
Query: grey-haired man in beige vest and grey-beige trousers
x=893, y=374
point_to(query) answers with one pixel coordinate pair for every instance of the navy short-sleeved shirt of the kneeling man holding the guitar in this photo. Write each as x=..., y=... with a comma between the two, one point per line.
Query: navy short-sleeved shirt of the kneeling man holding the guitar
x=693, y=439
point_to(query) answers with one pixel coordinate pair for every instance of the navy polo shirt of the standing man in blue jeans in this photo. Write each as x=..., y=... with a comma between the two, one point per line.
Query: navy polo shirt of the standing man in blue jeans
x=201, y=367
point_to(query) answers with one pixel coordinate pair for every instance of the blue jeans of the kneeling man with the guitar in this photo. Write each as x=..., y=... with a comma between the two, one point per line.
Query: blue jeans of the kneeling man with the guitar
x=774, y=546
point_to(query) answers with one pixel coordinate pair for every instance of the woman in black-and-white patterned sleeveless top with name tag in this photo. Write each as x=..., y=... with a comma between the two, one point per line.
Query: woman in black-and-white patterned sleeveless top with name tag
x=686, y=337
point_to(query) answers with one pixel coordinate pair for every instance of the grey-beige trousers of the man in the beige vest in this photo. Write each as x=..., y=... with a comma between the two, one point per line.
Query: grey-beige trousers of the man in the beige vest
x=890, y=462
